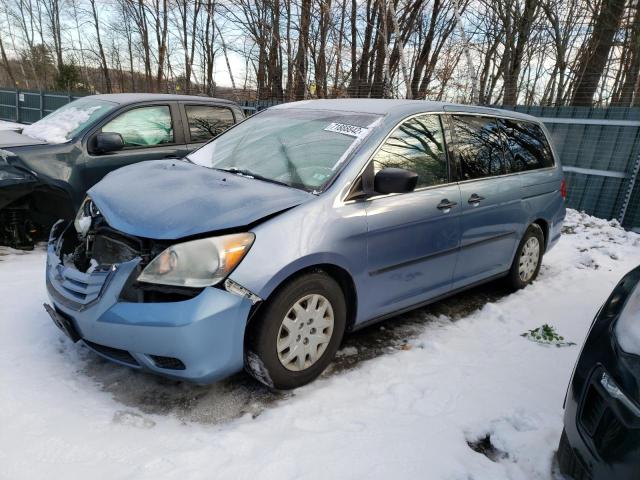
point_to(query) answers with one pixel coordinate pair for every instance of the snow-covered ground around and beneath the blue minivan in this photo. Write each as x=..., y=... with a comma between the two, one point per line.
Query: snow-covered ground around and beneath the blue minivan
x=445, y=380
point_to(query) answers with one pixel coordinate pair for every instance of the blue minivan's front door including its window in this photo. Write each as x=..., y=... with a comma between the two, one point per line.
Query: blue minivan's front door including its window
x=413, y=238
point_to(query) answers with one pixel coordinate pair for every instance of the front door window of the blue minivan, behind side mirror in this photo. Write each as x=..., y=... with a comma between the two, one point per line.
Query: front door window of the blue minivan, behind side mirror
x=416, y=145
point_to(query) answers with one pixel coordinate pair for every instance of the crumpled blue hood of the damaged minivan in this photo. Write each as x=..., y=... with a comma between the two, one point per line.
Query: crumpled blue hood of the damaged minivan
x=171, y=199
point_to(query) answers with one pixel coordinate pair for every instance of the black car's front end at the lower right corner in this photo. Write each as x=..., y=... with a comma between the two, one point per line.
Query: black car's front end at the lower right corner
x=601, y=439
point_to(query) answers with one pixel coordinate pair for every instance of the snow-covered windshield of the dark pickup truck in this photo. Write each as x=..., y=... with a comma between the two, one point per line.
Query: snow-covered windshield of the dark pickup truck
x=62, y=124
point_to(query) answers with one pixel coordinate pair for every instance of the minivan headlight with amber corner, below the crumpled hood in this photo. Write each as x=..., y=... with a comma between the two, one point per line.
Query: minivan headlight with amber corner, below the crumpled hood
x=198, y=263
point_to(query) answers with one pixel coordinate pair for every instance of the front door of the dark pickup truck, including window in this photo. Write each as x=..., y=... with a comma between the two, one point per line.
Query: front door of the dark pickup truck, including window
x=150, y=132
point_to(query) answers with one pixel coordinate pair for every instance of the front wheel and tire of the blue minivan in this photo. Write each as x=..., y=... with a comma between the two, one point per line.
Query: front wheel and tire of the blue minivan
x=294, y=327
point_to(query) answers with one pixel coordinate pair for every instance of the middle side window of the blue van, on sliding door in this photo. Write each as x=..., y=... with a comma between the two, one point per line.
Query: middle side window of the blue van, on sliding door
x=478, y=146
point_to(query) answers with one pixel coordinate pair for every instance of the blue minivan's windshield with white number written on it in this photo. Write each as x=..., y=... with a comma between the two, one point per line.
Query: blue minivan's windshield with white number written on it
x=300, y=148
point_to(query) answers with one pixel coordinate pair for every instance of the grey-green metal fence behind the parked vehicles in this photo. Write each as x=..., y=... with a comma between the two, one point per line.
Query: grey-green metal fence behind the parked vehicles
x=599, y=148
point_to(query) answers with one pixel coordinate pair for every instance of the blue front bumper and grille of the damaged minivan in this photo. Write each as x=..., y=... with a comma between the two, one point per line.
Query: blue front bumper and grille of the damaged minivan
x=199, y=340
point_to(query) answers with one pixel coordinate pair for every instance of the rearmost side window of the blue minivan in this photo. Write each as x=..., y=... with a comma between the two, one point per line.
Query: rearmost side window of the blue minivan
x=527, y=146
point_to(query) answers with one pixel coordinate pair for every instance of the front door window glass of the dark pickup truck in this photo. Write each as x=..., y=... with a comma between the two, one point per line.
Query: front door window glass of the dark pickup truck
x=143, y=126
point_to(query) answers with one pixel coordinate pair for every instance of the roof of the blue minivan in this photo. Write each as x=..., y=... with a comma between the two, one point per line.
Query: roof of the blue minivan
x=397, y=107
